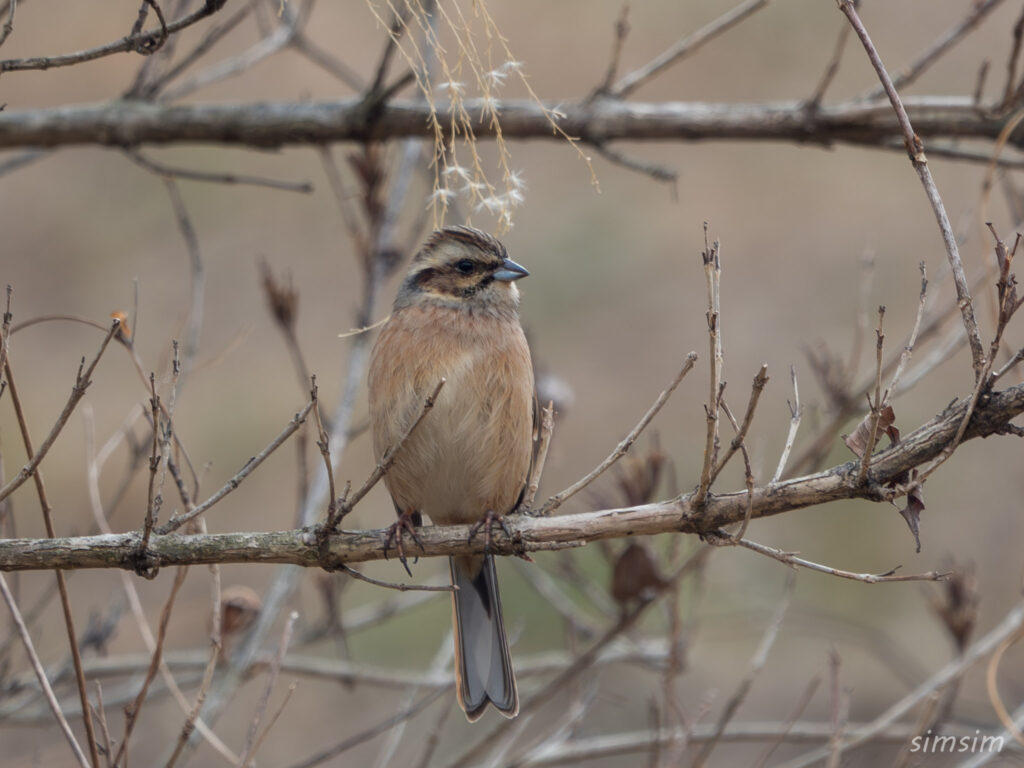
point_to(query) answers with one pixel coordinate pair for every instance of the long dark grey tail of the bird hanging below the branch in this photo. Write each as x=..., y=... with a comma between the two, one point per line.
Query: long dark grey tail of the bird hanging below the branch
x=483, y=666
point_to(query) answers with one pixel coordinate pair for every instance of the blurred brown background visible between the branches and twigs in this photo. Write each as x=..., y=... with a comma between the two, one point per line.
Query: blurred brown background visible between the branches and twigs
x=615, y=302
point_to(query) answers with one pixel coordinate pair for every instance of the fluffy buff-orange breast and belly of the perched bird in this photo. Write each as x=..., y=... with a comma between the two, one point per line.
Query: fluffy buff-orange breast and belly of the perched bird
x=472, y=453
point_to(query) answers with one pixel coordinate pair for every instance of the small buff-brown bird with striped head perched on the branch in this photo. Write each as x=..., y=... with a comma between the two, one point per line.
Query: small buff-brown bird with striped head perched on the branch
x=456, y=318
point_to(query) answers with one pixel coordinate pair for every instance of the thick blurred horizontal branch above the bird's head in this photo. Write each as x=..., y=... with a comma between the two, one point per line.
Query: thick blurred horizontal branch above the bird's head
x=594, y=122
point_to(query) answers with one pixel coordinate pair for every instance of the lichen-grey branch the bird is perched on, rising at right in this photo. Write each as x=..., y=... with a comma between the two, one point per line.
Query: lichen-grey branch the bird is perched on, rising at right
x=992, y=416
